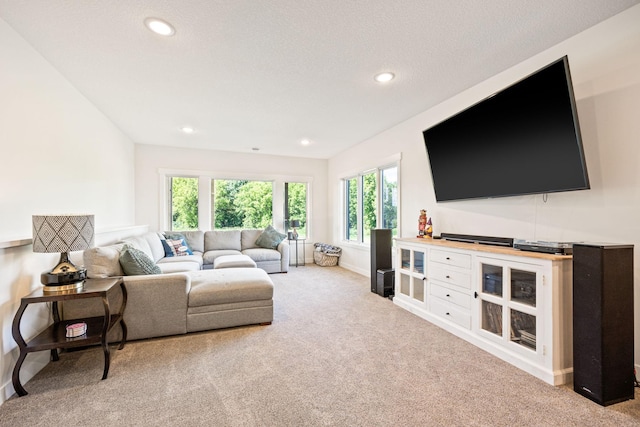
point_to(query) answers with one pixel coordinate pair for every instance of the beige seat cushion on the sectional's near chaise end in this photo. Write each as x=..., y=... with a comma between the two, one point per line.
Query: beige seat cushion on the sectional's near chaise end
x=211, y=287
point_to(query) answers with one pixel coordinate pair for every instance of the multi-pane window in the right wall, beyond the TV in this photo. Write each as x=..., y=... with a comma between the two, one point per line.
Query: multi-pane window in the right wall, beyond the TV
x=371, y=201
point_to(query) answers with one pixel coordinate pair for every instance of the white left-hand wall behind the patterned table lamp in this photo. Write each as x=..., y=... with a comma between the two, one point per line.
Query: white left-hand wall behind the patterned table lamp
x=59, y=155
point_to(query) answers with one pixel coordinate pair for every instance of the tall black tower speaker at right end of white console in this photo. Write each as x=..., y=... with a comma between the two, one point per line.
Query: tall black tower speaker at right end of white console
x=603, y=322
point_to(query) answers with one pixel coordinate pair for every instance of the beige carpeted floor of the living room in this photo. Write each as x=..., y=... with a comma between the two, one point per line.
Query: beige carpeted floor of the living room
x=335, y=355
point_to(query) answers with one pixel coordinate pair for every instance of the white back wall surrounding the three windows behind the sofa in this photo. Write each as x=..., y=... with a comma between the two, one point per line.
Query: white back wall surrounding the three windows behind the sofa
x=151, y=161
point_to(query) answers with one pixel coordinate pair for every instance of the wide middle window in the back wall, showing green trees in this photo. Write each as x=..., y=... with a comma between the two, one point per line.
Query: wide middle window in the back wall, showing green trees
x=241, y=204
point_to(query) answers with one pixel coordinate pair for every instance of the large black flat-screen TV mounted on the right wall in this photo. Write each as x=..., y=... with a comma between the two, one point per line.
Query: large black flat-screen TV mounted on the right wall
x=524, y=139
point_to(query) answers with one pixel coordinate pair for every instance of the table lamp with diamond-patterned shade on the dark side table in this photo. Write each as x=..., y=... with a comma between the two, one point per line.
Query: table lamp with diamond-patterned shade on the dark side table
x=63, y=234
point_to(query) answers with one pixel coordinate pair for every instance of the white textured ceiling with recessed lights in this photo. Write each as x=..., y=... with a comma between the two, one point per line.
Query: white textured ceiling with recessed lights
x=264, y=75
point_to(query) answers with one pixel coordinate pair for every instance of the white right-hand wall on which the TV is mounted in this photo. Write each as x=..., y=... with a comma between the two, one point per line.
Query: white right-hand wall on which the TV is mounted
x=605, y=67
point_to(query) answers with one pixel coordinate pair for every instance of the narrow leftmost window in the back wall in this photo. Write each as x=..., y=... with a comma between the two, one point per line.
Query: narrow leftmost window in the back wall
x=184, y=203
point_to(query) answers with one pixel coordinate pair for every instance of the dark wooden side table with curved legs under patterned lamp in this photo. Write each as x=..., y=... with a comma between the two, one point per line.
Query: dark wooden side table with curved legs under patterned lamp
x=54, y=337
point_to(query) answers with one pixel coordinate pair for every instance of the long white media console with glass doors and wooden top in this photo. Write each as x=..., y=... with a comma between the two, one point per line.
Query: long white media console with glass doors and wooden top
x=514, y=304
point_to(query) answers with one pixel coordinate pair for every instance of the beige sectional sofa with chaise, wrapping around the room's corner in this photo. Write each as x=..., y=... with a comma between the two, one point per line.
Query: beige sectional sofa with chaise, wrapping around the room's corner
x=188, y=295
